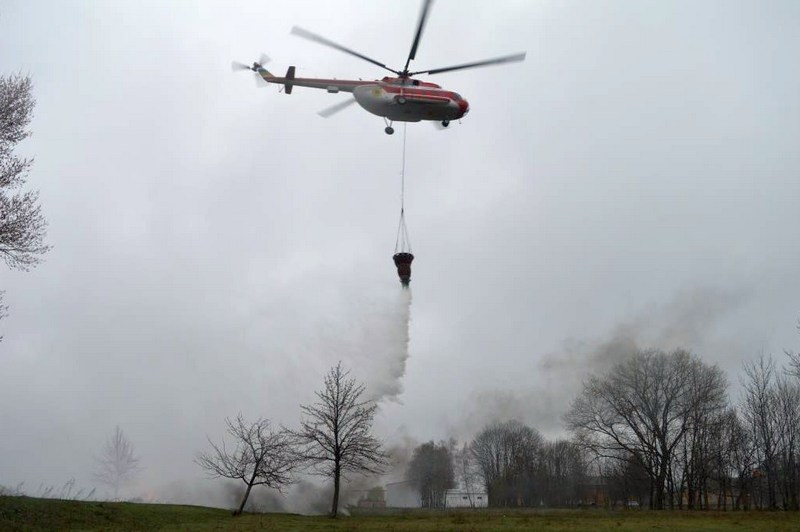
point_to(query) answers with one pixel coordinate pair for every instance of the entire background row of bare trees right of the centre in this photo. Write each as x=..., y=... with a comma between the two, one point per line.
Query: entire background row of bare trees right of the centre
x=657, y=430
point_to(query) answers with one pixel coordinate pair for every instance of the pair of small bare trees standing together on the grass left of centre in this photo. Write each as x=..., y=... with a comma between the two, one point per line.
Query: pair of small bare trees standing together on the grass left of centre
x=334, y=439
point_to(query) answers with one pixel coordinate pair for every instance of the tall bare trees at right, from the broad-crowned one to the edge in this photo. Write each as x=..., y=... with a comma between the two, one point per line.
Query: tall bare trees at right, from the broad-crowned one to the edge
x=659, y=428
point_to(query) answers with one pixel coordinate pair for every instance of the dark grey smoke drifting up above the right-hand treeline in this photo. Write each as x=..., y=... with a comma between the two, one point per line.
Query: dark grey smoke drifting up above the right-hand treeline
x=690, y=320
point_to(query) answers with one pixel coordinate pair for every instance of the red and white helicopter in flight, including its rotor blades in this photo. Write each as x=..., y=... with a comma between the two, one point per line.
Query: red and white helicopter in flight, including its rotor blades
x=399, y=98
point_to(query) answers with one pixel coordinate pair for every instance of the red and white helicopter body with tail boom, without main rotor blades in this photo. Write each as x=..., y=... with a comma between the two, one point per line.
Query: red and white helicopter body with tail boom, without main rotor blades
x=397, y=99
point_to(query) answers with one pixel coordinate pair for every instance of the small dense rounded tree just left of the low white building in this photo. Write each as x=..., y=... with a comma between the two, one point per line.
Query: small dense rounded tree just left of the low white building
x=431, y=468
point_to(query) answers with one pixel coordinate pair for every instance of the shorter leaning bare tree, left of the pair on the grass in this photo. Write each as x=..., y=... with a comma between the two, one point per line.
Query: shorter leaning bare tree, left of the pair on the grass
x=261, y=456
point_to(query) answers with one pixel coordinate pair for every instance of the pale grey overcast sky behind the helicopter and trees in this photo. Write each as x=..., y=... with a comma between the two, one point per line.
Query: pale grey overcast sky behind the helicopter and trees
x=218, y=247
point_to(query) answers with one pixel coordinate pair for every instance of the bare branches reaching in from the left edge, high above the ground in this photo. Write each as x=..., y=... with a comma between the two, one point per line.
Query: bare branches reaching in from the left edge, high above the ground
x=22, y=226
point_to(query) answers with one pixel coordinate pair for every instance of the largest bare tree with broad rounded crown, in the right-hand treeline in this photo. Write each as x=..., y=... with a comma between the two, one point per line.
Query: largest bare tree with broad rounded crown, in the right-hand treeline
x=643, y=409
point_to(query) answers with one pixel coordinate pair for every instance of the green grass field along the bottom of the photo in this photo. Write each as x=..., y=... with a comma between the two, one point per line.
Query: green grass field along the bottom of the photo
x=25, y=513
